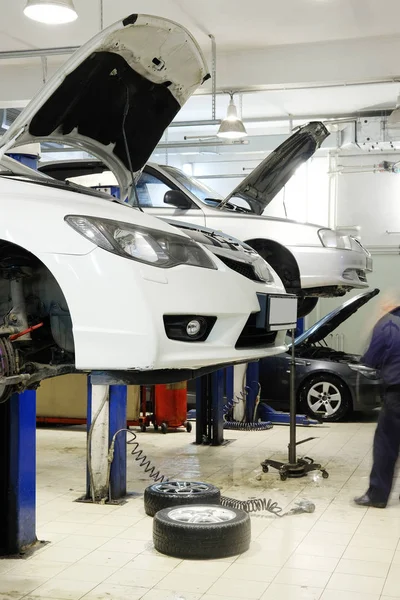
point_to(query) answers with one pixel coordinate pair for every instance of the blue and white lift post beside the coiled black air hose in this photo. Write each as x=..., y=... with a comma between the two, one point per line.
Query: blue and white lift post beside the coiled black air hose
x=106, y=410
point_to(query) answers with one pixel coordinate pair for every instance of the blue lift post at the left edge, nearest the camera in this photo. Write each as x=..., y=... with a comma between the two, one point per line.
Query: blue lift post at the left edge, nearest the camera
x=18, y=474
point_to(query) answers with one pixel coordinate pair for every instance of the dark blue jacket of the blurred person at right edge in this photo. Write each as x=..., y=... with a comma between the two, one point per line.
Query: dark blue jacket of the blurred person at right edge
x=384, y=349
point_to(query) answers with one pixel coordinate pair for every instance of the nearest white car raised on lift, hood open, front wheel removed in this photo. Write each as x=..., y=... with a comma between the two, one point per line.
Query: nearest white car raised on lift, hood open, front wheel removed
x=89, y=284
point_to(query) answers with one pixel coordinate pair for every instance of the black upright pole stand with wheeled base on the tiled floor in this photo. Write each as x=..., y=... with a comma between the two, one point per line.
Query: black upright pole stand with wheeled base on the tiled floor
x=294, y=468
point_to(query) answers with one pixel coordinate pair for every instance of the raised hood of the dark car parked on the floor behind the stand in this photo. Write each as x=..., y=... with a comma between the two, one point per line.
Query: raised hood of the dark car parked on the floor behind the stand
x=331, y=321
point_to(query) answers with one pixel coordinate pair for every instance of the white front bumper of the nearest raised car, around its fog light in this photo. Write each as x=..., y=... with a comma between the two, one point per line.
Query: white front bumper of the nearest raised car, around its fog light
x=117, y=308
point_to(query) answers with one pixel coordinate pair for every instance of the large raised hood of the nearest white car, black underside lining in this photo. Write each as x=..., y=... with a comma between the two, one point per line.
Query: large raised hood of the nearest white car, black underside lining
x=116, y=95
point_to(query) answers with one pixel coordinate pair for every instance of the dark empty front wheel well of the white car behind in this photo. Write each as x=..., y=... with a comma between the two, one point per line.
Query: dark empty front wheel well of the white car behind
x=281, y=260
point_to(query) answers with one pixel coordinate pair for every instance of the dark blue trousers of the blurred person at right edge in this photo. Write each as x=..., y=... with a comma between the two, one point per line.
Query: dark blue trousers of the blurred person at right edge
x=386, y=446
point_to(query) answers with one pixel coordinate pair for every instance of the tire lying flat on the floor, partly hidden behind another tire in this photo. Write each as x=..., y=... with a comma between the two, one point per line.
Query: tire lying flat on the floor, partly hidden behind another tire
x=177, y=493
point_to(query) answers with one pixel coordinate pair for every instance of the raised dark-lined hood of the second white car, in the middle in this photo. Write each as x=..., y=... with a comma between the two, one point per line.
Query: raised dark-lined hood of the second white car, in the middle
x=268, y=179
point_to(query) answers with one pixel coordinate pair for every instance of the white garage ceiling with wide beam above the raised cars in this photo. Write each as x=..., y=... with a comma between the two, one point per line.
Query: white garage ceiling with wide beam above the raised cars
x=292, y=57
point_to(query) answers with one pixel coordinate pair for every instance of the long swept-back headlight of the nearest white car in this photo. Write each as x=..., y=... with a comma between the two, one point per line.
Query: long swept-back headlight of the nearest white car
x=150, y=246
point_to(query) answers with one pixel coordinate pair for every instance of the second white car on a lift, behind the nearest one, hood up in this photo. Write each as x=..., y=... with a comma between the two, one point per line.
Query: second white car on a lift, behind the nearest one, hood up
x=313, y=261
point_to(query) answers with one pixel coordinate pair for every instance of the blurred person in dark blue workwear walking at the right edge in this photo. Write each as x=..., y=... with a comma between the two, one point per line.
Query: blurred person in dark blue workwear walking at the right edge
x=384, y=353
